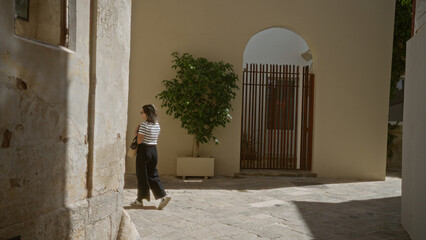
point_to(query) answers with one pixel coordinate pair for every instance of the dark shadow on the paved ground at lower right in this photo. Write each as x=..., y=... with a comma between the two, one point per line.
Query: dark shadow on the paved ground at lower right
x=367, y=219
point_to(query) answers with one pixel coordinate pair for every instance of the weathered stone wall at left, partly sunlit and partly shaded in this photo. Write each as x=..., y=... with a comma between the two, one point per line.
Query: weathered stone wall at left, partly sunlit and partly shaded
x=63, y=121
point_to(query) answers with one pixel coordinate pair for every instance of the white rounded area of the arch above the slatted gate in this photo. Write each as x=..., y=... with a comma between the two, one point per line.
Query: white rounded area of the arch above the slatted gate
x=276, y=46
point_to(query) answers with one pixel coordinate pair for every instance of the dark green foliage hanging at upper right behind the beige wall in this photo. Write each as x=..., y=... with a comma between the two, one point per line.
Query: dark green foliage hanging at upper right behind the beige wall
x=402, y=32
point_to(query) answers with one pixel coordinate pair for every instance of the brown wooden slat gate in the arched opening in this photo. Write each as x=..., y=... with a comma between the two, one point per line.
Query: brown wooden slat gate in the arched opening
x=276, y=130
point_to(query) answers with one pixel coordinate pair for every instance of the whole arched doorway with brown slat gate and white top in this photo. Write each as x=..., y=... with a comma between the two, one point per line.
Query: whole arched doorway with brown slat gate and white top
x=277, y=106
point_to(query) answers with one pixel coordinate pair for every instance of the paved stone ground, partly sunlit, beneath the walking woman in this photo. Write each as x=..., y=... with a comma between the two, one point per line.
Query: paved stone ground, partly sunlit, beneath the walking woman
x=271, y=208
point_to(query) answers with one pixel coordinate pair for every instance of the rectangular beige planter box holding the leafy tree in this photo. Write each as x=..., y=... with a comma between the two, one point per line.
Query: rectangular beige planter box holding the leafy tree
x=195, y=167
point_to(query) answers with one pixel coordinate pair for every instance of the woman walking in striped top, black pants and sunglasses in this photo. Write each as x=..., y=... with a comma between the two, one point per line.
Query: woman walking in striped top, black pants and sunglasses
x=146, y=159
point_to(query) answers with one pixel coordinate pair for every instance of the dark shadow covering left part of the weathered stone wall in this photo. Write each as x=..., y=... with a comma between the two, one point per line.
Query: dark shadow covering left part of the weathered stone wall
x=33, y=127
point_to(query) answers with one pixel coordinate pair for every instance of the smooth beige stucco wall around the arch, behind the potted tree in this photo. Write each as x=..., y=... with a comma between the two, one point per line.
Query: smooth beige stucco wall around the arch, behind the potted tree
x=351, y=58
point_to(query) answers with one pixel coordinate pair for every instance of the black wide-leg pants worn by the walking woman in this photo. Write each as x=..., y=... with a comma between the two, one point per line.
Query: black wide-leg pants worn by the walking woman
x=147, y=173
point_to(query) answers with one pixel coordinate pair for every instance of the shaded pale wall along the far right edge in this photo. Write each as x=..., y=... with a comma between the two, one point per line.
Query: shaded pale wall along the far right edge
x=414, y=138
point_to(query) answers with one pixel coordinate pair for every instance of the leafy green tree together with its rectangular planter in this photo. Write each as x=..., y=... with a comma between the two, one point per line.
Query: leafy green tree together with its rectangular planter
x=200, y=97
